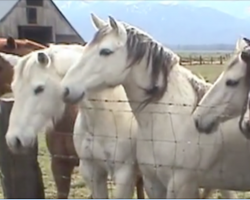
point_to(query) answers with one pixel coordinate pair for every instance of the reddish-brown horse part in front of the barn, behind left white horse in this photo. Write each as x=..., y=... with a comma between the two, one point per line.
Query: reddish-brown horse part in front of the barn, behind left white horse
x=18, y=47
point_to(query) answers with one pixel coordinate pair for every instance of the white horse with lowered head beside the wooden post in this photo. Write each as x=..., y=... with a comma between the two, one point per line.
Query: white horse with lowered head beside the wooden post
x=35, y=87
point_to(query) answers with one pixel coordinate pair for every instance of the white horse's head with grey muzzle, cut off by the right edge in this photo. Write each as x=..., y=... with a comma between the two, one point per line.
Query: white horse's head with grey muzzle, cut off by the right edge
x=227, y=98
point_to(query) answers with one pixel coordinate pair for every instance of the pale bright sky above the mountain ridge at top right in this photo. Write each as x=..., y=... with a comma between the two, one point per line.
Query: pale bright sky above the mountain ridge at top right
x=240, y=9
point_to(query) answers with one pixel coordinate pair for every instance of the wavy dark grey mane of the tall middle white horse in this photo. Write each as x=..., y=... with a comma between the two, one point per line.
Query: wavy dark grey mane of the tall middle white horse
x=160, y=59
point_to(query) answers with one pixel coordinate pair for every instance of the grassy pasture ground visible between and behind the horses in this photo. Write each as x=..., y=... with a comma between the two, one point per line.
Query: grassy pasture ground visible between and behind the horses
x=210, y=72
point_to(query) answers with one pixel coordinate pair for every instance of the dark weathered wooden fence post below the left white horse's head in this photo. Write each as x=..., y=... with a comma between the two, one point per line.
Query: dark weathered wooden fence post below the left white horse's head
x=21, y=174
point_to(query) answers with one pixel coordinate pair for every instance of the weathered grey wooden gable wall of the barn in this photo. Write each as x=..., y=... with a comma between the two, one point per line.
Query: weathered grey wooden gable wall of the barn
x=46, y=16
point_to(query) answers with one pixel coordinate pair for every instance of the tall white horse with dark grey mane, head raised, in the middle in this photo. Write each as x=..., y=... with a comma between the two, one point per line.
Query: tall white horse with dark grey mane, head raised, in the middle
x=174, y=159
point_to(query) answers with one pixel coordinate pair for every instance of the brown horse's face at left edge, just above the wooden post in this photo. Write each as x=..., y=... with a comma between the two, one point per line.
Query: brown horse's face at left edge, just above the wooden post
x=6, y=74
